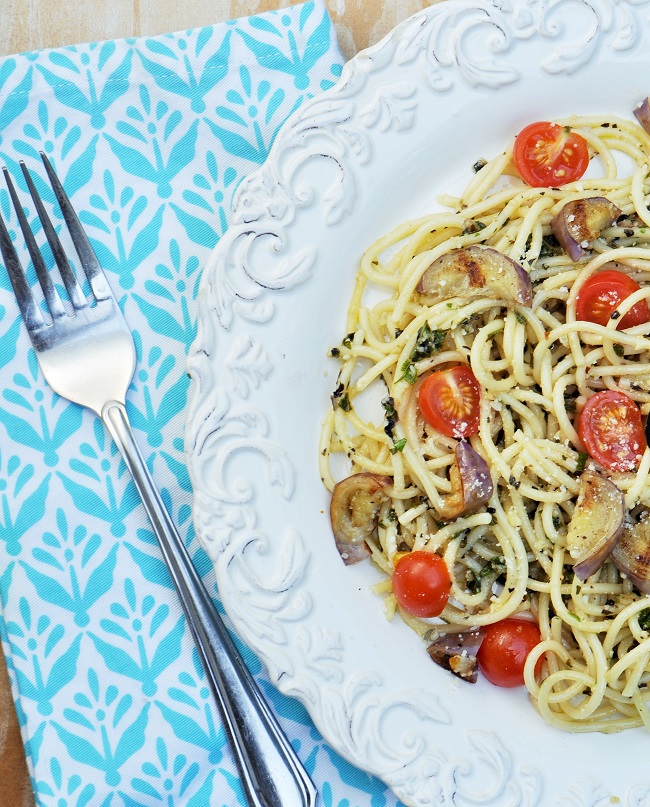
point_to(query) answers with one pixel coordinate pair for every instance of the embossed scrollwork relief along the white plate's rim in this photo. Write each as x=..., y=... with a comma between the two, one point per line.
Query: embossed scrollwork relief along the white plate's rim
x=451, y=44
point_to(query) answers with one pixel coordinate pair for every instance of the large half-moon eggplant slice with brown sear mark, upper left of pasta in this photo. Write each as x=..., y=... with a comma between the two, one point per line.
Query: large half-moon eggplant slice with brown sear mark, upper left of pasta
x=477, y=271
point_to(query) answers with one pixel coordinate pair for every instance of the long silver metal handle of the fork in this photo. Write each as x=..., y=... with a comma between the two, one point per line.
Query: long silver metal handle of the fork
x=271, y=772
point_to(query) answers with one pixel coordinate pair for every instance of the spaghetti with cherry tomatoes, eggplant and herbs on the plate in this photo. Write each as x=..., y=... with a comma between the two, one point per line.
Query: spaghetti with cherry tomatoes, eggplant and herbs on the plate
x=493, y=384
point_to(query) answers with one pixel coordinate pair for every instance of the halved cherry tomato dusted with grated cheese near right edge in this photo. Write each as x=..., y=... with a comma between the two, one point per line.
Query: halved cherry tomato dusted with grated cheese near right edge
x=610, y=427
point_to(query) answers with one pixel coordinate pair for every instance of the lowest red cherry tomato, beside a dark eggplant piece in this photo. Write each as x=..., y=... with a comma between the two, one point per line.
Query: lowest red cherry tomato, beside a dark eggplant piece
x=504, y=650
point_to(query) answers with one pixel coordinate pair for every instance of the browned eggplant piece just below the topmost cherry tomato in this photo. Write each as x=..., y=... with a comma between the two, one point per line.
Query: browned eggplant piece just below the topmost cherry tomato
x=580, y=221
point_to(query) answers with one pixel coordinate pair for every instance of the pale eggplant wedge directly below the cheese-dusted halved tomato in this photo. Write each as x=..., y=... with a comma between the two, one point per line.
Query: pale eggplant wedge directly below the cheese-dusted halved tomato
x=596, y=525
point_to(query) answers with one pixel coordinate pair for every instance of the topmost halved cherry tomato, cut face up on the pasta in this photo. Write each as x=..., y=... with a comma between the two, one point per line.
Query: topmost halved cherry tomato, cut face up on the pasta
x=548, y=155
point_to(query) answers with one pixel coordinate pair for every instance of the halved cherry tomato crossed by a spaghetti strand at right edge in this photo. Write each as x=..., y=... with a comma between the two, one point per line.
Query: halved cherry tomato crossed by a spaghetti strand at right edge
x=603, y=292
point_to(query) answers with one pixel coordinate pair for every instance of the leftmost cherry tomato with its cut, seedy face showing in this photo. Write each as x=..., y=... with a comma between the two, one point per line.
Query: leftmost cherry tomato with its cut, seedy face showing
x=450, y=401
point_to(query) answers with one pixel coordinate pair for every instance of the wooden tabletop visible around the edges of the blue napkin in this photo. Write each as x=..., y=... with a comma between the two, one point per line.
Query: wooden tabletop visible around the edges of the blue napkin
x=34, y=24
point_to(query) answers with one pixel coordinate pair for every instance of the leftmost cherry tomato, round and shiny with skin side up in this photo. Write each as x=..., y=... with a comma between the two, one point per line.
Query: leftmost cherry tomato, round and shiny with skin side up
x=421, y=583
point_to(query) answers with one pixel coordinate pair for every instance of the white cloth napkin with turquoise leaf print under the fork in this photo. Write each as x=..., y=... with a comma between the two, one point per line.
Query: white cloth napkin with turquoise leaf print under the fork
x=150, y=137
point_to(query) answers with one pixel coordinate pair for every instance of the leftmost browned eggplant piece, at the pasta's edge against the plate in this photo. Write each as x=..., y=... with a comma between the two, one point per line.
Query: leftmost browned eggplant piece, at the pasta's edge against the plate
x=354, y=510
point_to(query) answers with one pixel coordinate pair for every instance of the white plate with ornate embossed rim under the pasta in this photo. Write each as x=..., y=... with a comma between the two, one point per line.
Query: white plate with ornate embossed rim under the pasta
x=407, y=121
